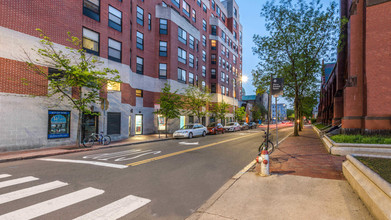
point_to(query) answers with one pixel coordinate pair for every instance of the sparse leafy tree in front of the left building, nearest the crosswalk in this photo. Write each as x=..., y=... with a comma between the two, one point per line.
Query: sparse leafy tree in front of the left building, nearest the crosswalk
x=76, y=70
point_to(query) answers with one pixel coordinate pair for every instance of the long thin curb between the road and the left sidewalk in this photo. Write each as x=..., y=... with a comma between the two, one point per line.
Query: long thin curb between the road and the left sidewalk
x=80, y=150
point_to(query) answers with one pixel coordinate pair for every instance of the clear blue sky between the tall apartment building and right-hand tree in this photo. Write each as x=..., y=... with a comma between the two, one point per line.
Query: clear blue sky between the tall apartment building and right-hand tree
x=252, y=24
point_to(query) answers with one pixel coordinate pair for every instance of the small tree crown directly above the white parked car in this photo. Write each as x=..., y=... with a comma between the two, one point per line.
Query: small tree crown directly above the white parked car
x=196, y=100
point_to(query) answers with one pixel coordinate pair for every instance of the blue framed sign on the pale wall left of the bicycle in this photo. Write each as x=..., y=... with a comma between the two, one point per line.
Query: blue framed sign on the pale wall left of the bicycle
x=59, y=124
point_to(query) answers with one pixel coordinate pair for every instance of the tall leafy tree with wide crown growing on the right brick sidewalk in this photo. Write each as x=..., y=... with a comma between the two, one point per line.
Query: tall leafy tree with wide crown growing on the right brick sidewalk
x=300, y=35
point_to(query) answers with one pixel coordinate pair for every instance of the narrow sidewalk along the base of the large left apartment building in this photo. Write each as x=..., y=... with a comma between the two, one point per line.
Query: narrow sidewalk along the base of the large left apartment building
x=51, y=151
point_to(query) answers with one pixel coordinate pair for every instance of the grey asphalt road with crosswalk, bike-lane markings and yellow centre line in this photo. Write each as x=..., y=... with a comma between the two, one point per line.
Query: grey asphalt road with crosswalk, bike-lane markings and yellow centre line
x=161, y=180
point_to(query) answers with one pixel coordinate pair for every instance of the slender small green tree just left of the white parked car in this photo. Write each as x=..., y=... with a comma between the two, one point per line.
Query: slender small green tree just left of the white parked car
x=170, y=104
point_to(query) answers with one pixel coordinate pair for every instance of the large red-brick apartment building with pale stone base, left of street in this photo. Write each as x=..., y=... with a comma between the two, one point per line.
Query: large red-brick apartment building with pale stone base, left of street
x=150, y=43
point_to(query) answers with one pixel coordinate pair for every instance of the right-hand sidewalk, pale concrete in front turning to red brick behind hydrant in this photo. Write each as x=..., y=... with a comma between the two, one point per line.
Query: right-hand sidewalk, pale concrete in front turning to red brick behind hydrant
x=306, y=183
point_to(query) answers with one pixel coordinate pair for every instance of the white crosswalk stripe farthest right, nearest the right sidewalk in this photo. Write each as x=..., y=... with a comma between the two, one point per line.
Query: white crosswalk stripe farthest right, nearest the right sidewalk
x=116, y=209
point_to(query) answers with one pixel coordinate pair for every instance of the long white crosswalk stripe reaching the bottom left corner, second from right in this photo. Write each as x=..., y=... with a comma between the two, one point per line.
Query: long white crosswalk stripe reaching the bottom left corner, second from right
x=51, y=205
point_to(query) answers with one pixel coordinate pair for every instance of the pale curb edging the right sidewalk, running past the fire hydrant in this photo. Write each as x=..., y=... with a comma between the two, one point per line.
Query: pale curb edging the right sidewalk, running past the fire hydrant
x=204, y=207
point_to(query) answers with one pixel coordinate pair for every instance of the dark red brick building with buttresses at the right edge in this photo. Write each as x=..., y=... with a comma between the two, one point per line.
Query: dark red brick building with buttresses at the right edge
x=357, y=94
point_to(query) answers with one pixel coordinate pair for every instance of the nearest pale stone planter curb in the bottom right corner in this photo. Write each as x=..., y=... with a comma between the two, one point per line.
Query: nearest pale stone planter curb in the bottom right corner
x=373, y=190
